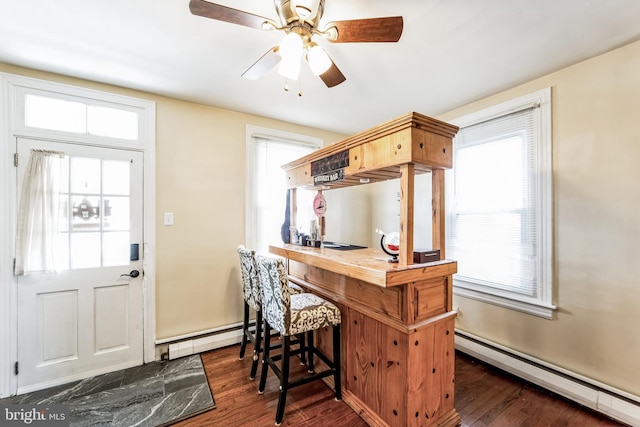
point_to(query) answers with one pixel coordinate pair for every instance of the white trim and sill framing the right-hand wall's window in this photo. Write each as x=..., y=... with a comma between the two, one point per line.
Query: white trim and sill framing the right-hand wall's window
x=543, y=305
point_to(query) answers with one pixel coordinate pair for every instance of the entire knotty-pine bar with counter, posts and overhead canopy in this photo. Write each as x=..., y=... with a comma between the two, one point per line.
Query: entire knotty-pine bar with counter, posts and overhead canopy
x=398, y=323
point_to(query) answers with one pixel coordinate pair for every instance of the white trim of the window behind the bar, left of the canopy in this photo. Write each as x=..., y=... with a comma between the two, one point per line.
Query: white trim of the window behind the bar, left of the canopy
x=250, y=162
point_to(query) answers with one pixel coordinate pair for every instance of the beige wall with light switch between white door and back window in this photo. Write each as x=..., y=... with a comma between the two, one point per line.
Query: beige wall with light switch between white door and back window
x=200, y=177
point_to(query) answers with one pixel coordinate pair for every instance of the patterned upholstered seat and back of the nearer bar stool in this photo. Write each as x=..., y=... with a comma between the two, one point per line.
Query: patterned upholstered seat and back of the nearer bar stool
x=291, y=314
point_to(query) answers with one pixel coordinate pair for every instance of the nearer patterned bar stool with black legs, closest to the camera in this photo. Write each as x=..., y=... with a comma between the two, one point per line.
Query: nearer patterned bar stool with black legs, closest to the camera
x=292, y=314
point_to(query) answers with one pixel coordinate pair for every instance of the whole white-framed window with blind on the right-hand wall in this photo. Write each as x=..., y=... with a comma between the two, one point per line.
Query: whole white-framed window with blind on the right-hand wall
x=499, y=199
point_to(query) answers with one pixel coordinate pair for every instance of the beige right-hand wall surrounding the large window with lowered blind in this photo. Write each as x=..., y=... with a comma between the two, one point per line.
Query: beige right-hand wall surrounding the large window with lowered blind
x=596, y=176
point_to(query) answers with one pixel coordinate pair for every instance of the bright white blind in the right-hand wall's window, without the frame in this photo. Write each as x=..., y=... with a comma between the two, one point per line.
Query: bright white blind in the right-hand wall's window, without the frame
x=493, y=233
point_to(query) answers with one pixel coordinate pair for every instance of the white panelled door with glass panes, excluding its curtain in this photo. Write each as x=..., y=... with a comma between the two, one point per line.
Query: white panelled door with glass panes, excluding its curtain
x=86, y=319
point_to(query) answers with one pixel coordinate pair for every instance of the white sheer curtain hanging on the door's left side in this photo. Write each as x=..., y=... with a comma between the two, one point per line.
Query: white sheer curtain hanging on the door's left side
x=39, y=213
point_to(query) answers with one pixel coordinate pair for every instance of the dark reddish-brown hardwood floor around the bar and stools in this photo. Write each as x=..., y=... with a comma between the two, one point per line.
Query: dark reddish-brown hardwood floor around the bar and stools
x=484, y=396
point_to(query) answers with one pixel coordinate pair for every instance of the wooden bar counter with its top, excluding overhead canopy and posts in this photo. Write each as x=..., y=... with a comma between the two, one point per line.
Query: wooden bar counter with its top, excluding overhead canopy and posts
x=398, y=350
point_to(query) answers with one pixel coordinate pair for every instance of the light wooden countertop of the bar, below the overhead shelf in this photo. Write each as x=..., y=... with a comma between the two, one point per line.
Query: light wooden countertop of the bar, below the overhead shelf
x=368, y=265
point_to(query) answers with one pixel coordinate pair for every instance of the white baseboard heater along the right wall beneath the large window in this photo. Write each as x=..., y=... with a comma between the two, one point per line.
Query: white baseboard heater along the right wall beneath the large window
x=614, y=403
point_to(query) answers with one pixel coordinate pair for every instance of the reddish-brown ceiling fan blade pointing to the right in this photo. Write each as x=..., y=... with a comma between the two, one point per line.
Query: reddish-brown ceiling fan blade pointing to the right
x=387, y=29
